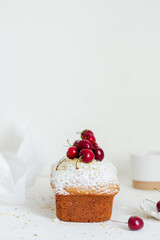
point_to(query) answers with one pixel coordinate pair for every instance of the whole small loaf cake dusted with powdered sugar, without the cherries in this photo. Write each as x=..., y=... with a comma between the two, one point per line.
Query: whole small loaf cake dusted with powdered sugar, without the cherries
x=84, y=193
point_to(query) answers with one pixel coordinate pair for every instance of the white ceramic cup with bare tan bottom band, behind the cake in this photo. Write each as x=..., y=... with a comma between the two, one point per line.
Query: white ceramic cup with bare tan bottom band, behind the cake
x=145, y=170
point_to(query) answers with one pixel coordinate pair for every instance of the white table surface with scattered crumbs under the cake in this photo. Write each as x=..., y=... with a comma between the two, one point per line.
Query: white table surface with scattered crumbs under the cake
x=36, y=218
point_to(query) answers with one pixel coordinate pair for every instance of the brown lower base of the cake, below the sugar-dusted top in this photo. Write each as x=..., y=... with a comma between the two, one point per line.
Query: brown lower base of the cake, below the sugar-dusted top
x=84, y=208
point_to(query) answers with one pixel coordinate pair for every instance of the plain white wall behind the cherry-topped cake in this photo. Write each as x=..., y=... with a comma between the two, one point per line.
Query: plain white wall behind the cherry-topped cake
x=71, y=65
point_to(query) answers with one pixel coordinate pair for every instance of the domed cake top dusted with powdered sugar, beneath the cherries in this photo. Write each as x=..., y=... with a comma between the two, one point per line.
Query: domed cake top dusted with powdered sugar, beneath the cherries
x=95, y=177
